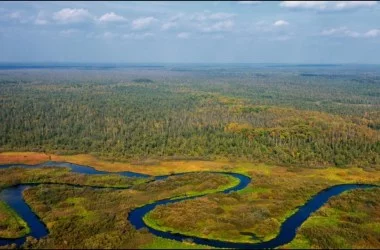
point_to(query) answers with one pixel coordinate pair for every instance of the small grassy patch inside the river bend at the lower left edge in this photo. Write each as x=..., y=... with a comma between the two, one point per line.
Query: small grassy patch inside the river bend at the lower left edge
x=11, y=224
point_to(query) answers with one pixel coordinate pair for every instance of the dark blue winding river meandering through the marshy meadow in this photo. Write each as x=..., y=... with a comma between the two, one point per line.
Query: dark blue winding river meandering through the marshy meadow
x=14, y=198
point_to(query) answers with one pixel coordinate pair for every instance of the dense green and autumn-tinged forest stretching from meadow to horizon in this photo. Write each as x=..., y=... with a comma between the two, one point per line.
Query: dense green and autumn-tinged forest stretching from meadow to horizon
x=275, y=114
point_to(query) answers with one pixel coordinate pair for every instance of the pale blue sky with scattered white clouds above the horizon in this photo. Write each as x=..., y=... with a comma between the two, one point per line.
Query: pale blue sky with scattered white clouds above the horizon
x=190, y=32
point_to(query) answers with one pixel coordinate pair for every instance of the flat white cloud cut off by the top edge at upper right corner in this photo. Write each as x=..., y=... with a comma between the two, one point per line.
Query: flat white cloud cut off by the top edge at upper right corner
x=327, y=5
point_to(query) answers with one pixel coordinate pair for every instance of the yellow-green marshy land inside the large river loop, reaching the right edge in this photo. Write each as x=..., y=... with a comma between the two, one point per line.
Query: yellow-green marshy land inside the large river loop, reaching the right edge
x=272, y=197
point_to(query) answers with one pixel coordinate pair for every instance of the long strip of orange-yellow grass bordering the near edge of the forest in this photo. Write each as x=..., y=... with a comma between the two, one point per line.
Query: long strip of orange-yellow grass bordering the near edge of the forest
x=338, y=175
